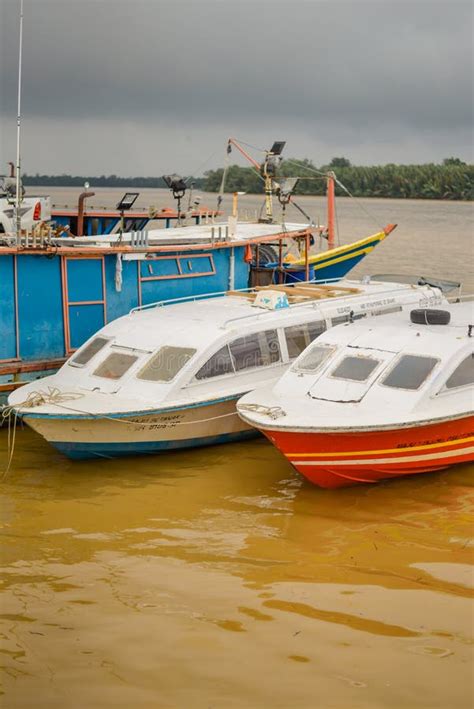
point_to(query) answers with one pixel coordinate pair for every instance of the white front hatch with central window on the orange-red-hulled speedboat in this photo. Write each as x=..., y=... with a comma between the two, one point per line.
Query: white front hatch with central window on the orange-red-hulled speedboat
x=350, y=375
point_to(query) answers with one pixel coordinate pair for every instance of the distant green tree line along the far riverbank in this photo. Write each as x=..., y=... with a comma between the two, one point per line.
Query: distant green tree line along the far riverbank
x=453, y=179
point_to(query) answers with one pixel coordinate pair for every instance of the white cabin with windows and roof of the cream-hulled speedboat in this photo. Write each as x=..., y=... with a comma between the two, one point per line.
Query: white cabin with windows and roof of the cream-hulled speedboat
x=205, y=348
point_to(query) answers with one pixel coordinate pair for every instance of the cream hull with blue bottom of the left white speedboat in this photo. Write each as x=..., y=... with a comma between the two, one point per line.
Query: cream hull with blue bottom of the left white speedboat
x=111, y=436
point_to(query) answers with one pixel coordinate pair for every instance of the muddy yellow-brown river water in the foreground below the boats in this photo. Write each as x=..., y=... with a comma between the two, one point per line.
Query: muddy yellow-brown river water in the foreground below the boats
x=219, y=578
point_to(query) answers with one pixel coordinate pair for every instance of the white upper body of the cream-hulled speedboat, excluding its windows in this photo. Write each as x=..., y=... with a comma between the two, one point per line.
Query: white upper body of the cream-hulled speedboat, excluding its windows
x=203, y=326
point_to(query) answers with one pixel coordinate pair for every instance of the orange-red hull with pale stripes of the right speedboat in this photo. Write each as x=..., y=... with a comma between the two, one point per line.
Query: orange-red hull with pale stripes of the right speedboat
x=338, y=459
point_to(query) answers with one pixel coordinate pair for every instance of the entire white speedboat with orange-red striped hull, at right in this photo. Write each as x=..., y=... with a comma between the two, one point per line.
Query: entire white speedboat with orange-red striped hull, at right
x=374, y=400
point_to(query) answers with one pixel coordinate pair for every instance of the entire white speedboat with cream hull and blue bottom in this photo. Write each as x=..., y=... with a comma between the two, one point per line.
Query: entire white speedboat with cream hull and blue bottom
x=164, y=378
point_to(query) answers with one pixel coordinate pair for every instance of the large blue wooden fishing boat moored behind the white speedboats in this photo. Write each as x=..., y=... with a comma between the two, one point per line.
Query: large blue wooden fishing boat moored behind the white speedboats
x=61, y=281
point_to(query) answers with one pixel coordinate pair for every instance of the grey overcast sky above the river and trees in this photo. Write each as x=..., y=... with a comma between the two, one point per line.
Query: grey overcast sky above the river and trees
x=144, y=87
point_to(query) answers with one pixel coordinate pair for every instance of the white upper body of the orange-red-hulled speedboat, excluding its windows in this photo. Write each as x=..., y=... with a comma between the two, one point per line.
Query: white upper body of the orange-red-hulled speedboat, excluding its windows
x=316, y=400
